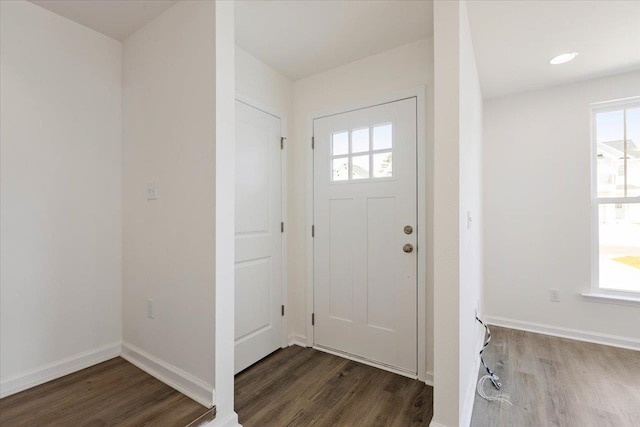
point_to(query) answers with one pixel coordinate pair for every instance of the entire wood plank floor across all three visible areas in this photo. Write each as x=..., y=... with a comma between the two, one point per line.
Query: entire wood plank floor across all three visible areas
x=552, y=382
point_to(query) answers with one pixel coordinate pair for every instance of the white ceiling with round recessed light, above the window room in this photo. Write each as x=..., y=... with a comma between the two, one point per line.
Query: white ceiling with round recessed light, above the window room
x=514, y=40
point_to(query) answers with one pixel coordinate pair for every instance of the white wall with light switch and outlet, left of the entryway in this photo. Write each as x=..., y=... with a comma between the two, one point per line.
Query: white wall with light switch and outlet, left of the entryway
x=169, y=113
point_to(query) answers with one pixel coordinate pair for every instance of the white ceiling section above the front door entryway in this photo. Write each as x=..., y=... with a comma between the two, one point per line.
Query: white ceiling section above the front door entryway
x=304, y=37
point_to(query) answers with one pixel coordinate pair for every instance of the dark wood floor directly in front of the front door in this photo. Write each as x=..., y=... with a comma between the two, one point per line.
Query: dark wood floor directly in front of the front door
x=299, y=386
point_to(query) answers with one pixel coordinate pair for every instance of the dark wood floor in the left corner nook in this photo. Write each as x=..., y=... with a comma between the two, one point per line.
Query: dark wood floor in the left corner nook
x=113, y=393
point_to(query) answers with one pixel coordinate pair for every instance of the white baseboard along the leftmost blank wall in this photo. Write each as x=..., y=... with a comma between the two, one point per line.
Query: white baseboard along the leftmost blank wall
x=58, y=369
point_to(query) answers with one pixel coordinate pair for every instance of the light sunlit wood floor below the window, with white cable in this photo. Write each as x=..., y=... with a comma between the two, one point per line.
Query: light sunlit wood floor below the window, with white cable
x=559, y=382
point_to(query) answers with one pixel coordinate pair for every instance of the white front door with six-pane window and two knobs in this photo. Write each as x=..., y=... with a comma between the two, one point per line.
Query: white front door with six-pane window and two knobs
x=365, y=221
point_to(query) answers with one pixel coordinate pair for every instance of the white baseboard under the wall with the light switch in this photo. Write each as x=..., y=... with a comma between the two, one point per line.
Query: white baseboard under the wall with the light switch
x=174, y=377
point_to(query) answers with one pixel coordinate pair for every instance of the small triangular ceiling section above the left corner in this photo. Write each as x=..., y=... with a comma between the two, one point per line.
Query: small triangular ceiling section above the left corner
x=117, y=19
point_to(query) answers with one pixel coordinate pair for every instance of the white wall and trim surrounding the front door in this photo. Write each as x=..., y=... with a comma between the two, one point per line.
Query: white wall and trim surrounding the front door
x=403, y=68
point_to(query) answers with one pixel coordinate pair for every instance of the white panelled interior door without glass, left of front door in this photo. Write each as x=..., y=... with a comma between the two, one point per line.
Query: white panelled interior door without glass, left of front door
x=258, y=238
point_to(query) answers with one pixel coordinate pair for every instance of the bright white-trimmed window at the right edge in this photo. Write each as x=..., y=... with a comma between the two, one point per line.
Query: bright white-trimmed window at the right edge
x=616, y=194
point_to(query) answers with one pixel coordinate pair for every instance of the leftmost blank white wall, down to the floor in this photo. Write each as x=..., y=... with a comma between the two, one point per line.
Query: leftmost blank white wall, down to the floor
x=61, y=283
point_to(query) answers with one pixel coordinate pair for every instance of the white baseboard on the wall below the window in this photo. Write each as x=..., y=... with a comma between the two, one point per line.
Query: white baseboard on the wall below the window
x=574, y=334
